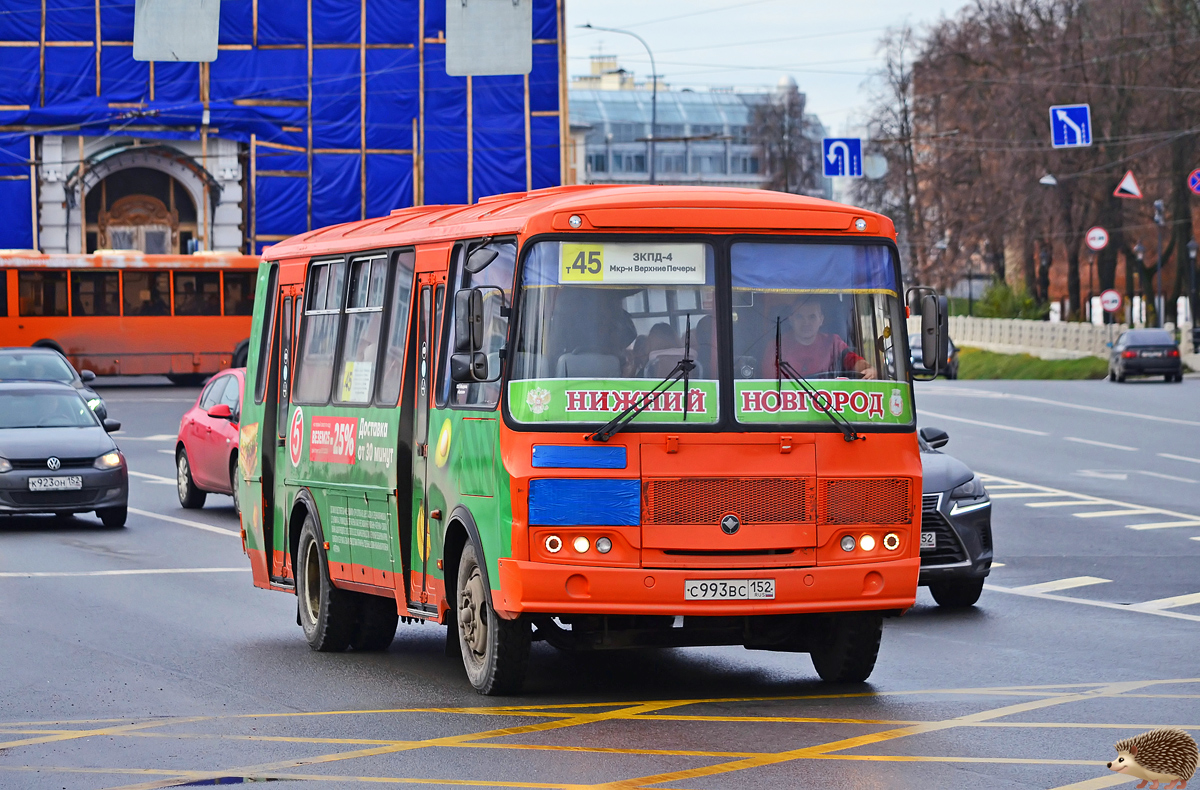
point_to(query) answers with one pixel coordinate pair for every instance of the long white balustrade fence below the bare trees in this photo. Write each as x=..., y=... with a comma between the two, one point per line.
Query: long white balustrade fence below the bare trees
x=1045, y=339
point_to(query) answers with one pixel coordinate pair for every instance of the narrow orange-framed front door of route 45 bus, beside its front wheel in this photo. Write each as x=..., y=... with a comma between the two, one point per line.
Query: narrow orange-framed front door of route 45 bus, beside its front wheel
x=431, y=289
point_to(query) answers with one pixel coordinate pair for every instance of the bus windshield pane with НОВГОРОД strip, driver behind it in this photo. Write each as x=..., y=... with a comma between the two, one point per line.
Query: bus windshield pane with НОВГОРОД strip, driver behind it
x=827, y=315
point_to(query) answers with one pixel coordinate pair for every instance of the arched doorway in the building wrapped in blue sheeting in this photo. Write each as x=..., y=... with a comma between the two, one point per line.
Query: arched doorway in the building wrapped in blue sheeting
x=140, y=208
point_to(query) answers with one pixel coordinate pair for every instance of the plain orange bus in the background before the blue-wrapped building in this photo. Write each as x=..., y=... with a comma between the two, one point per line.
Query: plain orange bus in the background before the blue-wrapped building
x=127, y=314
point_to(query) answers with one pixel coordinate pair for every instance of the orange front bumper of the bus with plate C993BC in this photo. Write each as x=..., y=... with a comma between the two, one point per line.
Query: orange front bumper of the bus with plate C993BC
x=537, y=588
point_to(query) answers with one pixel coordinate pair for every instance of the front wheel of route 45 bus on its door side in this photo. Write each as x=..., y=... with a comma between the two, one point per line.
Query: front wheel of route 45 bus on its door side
x=495, y=651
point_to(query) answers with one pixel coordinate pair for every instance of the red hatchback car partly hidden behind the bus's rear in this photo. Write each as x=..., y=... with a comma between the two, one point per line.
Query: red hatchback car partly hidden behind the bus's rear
x=207, y=447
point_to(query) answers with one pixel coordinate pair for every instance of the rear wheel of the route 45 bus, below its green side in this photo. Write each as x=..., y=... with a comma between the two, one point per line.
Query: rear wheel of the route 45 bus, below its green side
x=327, y=614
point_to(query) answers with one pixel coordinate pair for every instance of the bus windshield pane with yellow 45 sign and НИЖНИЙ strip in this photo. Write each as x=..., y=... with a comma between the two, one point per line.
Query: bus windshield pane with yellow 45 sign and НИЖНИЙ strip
x=602, y=324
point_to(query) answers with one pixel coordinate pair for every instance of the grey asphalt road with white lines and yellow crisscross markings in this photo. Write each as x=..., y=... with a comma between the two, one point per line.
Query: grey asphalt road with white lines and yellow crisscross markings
x=118, y=671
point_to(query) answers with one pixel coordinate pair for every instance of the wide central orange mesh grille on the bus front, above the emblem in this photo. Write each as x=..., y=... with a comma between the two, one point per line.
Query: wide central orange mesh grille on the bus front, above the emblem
x=706, y=500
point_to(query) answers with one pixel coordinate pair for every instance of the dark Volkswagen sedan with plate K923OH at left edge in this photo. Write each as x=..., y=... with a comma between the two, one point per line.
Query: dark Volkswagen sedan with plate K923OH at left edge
x=57, y=457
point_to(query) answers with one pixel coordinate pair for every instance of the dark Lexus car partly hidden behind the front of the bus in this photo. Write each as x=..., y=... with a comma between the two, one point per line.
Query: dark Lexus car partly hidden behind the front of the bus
x=956, y=525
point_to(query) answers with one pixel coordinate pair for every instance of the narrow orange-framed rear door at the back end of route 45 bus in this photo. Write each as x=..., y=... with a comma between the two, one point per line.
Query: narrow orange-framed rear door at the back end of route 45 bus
x=273, y=511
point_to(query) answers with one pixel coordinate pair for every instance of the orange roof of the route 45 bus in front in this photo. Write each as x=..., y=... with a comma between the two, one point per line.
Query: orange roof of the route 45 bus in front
x=610, y=208
